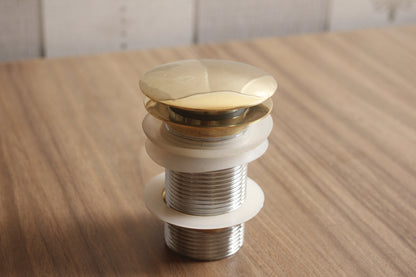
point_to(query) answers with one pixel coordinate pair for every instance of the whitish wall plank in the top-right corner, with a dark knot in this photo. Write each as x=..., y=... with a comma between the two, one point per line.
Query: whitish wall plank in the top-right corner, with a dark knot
x=357, y=14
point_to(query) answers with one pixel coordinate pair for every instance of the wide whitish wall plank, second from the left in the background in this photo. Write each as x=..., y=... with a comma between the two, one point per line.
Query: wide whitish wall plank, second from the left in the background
x=81, y=27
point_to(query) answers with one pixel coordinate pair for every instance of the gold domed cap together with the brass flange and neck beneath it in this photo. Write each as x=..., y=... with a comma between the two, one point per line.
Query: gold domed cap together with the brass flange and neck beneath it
x=208, y=98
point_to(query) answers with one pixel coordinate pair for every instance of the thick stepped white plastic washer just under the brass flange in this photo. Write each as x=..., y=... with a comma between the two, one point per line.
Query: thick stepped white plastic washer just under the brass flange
x=197, y=156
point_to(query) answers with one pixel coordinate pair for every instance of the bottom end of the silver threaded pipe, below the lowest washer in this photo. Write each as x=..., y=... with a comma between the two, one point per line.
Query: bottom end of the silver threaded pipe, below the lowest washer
x=204, y=244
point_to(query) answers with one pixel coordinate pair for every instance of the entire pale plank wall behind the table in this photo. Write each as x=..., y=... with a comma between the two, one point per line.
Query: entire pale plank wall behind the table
x=30, y=28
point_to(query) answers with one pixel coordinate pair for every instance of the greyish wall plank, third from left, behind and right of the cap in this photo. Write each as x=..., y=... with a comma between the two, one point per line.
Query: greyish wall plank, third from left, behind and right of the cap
x=234, y=19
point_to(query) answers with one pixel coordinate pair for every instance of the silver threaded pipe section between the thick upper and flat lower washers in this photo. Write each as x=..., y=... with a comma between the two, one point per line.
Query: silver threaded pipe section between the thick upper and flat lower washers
x=206, y=193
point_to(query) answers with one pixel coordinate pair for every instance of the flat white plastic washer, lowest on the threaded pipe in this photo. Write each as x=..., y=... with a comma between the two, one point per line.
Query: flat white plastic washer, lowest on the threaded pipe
x=155, y=203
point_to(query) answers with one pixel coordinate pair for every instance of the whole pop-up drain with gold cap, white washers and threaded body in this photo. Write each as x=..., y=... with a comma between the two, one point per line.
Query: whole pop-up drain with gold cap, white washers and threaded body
x=208, y=119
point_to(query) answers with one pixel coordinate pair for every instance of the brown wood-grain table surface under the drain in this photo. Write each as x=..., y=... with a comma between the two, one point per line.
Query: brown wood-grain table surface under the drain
x=339, y=175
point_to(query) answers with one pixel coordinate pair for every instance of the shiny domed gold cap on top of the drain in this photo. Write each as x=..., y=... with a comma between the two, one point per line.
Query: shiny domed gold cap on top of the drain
x=208, y=85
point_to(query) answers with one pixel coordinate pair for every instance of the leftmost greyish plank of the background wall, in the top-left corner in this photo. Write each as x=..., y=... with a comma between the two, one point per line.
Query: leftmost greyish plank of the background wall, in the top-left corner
x=20, y=29
